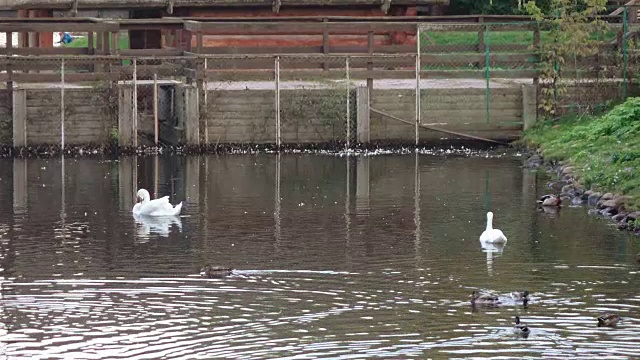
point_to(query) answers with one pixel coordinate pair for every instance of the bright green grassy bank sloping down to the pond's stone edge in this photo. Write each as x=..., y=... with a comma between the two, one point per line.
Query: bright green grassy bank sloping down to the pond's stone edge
x=605, y=150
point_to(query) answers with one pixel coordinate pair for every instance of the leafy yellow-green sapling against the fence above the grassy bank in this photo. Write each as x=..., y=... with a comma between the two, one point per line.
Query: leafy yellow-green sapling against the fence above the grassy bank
x=575, y=31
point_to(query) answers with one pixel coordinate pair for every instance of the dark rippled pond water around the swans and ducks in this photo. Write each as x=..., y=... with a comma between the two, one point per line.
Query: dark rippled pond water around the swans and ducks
x=336, y=257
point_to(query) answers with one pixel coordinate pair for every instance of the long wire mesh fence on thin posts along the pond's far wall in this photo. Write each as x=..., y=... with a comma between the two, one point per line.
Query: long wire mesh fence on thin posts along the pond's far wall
x=473, y=81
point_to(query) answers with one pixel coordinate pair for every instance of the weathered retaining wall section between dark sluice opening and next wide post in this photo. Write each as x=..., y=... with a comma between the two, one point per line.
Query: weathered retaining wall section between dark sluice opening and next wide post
x=307, y=116
